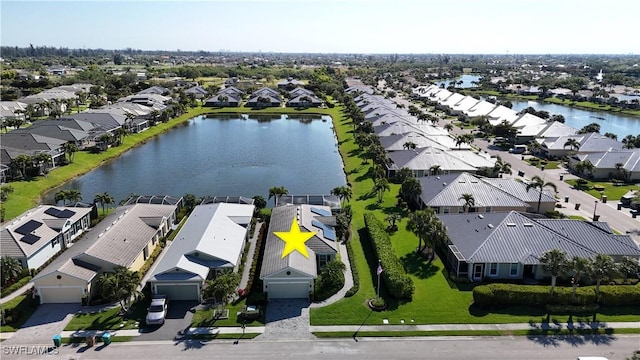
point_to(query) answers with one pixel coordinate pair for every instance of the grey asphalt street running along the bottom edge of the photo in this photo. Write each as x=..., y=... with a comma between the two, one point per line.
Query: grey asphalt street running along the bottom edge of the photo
x=442, y=348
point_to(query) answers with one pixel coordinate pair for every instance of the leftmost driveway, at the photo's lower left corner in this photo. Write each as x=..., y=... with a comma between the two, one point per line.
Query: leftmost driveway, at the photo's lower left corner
x=47, y=321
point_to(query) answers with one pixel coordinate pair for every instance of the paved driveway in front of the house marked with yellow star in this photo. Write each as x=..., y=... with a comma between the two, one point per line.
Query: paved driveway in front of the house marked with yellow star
x=287, y=319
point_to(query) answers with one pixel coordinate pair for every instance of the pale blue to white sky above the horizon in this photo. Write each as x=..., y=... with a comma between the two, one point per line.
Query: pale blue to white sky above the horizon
x=329, y=26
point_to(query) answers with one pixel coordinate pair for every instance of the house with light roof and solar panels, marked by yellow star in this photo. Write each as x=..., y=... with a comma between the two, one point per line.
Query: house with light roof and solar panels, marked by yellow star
x=293, y=276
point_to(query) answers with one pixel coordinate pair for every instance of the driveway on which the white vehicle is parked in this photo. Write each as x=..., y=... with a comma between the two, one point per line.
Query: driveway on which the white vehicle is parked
x=179, y=316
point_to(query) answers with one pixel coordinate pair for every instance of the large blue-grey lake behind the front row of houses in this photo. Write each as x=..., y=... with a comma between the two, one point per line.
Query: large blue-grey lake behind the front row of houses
x=234, y=155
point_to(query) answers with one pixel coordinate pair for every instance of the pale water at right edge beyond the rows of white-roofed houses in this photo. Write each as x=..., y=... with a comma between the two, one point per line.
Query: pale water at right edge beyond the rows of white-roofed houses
x=619, y=124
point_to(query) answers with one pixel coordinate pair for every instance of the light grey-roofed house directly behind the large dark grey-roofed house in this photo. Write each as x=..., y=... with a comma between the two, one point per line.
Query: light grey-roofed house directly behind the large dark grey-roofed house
x=442, y=193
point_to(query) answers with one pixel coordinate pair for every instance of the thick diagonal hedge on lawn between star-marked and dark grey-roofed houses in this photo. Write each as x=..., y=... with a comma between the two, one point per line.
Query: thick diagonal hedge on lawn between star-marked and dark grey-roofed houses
x=398, y=284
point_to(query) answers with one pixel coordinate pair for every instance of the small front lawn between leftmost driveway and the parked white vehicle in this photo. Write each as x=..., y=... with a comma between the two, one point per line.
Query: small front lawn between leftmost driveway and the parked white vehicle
x=107, y=320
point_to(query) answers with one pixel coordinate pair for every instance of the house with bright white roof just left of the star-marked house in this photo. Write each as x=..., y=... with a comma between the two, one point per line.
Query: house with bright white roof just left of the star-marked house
x=211, y=240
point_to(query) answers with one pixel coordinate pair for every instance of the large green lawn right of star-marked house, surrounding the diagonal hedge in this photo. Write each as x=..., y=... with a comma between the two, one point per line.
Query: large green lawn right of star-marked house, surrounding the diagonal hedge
x=435, y=301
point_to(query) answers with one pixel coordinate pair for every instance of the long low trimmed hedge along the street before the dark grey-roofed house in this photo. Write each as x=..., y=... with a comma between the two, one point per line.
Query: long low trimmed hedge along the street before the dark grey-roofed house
x=539, y=295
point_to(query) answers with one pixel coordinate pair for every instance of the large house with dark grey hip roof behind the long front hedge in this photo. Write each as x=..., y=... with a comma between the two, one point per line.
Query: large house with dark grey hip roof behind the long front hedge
x=509, y=245
